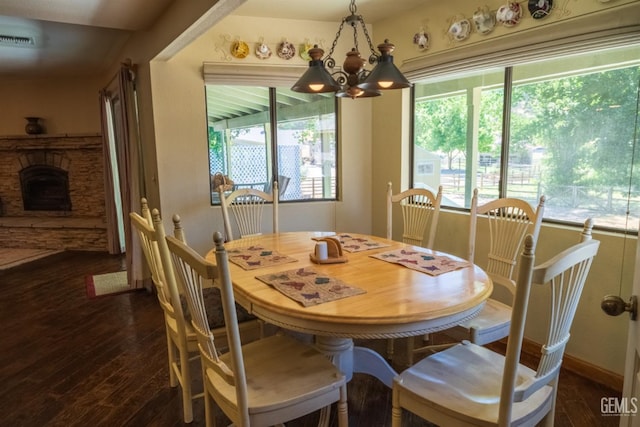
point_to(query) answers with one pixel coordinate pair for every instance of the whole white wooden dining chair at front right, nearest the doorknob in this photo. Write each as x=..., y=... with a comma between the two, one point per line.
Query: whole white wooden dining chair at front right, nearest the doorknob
x=469, y=384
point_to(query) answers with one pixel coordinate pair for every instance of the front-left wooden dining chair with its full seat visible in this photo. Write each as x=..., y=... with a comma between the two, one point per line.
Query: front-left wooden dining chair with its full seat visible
x=266, y=382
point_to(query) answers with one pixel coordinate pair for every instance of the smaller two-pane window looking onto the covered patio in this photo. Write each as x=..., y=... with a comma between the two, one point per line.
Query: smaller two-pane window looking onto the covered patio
x=257, y=134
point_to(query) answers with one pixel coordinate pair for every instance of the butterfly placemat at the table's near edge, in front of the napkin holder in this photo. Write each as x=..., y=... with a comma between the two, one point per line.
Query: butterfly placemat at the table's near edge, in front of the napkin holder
x=309, y=287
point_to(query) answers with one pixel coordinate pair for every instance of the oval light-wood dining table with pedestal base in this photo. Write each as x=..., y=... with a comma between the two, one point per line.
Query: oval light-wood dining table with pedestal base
x=399, y=301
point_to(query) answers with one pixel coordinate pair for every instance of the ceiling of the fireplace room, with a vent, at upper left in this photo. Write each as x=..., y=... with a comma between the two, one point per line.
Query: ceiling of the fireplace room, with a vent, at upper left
x=70, y=37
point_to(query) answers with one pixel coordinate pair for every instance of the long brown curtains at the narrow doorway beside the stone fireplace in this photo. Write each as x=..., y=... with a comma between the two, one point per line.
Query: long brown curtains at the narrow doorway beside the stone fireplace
x=124, y=172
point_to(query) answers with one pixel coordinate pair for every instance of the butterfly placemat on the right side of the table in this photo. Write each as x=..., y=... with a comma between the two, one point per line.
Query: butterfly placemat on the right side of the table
x=431, y=264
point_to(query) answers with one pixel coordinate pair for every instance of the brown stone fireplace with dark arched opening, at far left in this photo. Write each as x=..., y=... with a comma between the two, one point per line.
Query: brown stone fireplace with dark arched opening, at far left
x=52, y=192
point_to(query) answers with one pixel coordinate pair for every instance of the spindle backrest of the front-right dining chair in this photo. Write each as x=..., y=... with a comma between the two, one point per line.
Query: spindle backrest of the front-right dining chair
x=565, y=274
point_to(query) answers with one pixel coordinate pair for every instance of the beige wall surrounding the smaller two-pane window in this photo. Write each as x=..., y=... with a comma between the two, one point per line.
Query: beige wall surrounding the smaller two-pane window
x=181, y=138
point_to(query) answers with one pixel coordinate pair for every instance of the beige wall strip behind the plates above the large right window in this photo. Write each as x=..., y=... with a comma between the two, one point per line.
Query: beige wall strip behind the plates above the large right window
x=567, y=18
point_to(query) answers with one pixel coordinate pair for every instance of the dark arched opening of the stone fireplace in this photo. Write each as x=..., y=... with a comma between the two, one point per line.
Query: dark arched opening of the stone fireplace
x=45, y=188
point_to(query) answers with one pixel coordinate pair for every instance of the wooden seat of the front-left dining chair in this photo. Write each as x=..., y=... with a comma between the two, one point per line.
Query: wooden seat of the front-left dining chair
x=300, y=373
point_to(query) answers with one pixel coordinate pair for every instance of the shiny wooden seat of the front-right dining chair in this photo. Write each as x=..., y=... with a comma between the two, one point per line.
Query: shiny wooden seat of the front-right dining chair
x=463, y=384
